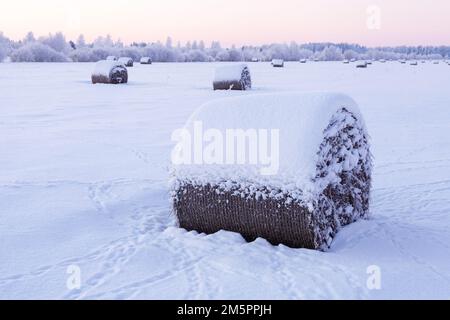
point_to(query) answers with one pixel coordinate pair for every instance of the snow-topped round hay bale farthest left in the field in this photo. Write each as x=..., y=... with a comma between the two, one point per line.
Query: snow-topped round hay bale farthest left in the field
x=109, y=71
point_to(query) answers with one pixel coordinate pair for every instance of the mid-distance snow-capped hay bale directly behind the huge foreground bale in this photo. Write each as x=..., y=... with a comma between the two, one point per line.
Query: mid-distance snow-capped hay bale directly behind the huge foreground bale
x=233, y=77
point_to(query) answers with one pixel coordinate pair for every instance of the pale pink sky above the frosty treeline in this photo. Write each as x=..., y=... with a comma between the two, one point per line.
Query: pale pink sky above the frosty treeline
x=367, y=22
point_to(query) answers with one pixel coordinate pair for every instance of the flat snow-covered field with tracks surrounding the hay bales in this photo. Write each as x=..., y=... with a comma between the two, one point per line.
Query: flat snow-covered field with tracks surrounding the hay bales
x=83, y=183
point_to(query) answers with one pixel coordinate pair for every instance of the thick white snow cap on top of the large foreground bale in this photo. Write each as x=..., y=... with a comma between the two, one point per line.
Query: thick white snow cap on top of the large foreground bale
x=300, y=119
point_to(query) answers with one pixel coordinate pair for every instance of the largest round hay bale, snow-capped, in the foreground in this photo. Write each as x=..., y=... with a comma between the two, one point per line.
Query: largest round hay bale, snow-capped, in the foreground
x=318, y=180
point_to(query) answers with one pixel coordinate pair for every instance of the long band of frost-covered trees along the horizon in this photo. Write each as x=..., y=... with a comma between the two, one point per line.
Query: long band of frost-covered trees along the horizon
x=102, y=47
